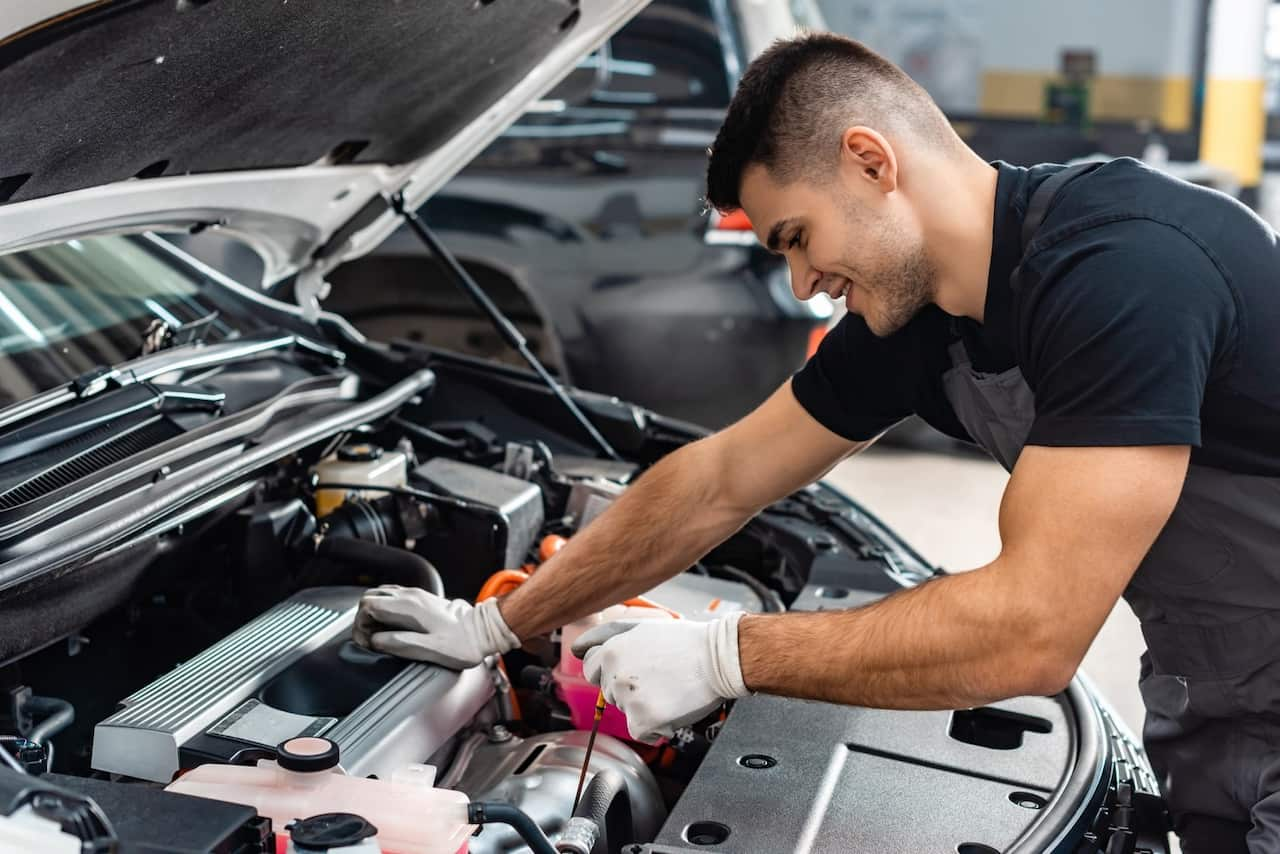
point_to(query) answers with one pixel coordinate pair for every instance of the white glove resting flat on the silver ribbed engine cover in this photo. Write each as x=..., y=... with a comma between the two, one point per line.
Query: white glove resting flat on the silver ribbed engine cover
x=414, y=624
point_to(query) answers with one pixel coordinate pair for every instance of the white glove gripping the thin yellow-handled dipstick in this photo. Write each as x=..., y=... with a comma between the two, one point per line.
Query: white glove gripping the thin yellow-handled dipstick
x=664, y=674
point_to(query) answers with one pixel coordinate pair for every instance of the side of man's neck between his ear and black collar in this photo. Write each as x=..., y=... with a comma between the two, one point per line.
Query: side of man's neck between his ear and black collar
x=959, y=235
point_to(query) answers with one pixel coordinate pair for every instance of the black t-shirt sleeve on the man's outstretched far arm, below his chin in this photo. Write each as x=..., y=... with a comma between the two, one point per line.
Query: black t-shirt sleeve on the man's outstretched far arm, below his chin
x=857, y=385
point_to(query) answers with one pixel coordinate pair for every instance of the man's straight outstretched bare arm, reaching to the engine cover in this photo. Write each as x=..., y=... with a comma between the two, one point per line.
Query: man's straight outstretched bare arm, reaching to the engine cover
x=682, y=509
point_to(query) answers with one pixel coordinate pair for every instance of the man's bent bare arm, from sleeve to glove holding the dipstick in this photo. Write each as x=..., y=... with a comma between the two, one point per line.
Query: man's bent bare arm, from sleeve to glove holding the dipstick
x=1075, y=523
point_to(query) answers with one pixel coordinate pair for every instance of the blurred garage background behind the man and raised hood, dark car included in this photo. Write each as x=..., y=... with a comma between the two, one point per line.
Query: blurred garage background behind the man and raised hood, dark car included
x=650, y=298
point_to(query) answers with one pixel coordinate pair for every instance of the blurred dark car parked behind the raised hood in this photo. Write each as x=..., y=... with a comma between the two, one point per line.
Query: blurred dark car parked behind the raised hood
x=586, y=223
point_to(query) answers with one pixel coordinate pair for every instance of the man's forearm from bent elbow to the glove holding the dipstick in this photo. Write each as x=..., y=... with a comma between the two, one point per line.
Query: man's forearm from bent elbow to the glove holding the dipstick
x=952, y=643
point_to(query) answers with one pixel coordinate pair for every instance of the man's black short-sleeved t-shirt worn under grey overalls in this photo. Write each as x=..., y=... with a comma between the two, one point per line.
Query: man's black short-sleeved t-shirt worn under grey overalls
x=1148, y=313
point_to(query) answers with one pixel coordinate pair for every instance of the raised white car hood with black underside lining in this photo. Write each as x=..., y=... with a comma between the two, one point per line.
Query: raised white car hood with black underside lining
x=286, y=125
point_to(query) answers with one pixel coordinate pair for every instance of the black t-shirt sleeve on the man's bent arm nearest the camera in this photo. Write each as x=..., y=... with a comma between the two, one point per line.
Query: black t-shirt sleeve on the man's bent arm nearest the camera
x=1121, y=336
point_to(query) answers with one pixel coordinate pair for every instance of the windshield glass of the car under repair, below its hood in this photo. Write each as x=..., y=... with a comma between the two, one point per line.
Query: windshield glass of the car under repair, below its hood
x=71, y=308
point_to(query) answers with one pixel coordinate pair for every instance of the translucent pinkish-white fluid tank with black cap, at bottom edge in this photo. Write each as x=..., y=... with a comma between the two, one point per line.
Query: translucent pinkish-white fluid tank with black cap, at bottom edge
x=412, y=816
